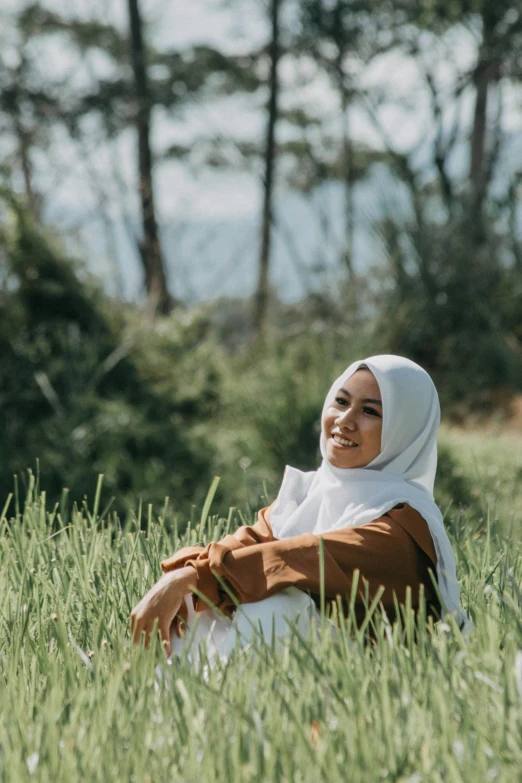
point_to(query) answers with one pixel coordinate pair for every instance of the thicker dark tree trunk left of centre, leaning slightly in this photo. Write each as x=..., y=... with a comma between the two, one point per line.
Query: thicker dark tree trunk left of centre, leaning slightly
x=150, y=247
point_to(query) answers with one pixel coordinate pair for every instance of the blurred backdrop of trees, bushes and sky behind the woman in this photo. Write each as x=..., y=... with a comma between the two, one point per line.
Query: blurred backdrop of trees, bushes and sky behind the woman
x=209, y=208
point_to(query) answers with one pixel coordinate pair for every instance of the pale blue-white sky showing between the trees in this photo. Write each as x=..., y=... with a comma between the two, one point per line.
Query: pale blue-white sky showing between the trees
x=210, y=218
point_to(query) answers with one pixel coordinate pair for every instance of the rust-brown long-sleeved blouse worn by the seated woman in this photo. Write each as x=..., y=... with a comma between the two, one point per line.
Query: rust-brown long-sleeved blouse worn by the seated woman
x=395, y=551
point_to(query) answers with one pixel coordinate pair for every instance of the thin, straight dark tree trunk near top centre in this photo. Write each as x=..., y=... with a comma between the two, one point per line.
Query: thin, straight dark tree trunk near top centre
x=261, y=299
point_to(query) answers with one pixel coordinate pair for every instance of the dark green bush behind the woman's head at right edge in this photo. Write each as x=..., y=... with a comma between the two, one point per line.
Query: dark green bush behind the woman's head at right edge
x=453, y=307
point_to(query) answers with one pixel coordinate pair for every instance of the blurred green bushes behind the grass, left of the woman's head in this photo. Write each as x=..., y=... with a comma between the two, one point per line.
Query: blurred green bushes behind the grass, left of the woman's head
x=90, y=387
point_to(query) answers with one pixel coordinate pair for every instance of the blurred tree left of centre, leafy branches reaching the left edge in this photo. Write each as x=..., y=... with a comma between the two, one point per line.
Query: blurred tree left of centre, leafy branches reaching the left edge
x=37, y=106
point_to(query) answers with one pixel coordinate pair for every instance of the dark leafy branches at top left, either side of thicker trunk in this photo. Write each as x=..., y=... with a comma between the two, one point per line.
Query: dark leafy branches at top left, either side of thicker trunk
x=34, y=100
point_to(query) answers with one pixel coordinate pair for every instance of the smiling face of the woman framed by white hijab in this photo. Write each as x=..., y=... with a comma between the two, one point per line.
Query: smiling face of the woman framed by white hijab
x=352, y=423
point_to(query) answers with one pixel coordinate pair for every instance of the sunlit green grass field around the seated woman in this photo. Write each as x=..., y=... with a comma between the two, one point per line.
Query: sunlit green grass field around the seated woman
x=78, y=702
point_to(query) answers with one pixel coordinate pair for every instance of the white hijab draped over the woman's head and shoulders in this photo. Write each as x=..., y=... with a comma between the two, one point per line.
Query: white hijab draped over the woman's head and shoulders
x=404, y=472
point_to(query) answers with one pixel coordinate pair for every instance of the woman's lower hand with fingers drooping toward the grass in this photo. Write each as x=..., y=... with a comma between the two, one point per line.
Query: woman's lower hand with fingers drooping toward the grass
x=162, y=603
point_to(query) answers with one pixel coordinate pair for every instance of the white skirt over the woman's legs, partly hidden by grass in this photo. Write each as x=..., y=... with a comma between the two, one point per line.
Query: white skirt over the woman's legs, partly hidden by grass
x=214, y=636
